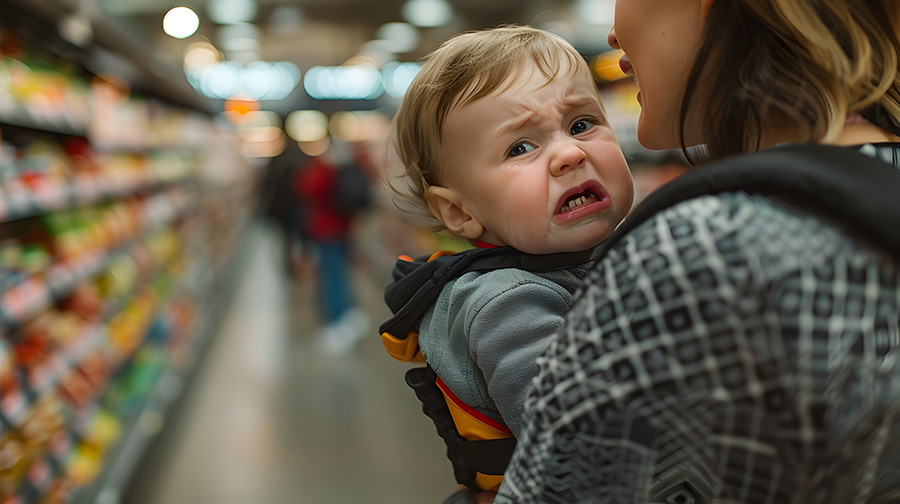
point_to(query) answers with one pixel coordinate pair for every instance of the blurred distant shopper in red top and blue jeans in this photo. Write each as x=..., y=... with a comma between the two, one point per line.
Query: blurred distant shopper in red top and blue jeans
x=326, y=227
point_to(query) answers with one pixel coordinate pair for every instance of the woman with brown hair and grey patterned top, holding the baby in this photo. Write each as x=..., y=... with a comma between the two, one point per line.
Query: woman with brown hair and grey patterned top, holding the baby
x=739, y=347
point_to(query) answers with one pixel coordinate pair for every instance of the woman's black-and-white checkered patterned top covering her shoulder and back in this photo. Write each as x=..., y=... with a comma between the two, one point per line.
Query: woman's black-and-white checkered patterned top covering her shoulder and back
x=733, y=349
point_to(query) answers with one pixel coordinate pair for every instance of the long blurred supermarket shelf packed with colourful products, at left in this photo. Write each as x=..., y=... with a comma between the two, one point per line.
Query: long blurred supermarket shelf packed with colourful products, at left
x=120, y=217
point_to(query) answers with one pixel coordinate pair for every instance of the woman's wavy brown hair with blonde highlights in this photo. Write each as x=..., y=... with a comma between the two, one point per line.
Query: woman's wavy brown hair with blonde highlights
x=797, y=67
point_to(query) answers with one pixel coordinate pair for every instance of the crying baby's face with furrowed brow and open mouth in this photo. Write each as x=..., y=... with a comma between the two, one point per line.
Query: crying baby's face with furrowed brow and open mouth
x=538, y=165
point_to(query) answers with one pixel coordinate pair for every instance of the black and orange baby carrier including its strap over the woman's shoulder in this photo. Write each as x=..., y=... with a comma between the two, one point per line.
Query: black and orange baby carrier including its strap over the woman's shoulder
x=836, y=182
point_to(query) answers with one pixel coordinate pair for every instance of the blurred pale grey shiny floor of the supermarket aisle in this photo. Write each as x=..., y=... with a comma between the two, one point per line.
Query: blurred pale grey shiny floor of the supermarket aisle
x=269, y=419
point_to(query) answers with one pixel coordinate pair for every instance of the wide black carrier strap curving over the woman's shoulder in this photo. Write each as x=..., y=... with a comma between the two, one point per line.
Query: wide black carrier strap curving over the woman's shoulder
x=840, y=182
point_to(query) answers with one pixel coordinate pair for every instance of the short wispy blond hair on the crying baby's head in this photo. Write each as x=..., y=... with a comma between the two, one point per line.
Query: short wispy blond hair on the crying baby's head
x=468, y=66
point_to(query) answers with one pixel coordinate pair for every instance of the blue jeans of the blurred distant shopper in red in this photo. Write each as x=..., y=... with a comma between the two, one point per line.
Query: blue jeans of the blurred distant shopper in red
x=334, y=279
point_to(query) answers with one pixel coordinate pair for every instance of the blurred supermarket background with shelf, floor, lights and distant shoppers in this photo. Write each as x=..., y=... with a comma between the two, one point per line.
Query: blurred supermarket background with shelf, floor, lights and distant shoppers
x=172, y=273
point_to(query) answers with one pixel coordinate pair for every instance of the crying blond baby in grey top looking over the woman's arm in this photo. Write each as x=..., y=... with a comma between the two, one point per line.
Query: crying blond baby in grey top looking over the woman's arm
x=505, y=144
